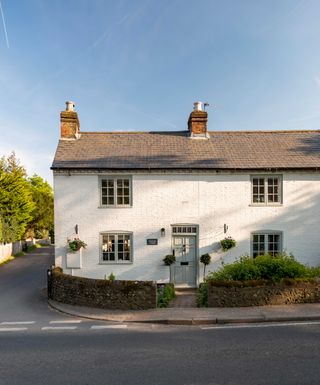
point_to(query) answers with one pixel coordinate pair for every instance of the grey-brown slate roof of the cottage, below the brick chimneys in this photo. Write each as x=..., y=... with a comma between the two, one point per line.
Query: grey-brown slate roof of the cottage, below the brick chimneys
x=232, y=150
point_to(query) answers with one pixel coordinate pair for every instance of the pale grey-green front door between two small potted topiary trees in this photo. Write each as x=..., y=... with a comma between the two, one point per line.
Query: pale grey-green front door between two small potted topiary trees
x=184, y=270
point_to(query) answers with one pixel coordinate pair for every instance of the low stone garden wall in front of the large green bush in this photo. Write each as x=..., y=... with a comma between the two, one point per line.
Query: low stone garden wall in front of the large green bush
x=273, y=294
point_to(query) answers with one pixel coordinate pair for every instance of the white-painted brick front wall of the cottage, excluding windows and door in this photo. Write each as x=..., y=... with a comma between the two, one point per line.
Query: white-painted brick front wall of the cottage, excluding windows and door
x=162, y=200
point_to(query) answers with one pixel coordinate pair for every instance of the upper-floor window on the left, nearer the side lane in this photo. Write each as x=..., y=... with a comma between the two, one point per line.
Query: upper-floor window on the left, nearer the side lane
x=115, y=191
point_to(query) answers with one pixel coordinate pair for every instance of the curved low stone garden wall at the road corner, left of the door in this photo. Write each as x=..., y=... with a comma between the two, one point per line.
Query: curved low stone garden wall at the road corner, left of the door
x=134, y=295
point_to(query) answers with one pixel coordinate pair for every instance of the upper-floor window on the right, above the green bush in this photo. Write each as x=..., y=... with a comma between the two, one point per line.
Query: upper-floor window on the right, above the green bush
x=266, y=189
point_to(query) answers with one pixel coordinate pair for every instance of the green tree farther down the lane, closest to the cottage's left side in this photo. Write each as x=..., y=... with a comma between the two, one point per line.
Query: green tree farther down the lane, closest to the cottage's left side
x=42, y=215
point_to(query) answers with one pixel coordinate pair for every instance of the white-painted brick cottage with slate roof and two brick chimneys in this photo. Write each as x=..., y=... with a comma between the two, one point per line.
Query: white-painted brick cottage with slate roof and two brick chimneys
x=135, y=197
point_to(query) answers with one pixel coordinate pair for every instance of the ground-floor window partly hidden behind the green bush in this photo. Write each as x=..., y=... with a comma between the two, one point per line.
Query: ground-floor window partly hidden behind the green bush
x=266, y=243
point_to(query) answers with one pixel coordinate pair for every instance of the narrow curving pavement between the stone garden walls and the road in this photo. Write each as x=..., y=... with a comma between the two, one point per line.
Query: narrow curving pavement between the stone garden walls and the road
x=198, y=316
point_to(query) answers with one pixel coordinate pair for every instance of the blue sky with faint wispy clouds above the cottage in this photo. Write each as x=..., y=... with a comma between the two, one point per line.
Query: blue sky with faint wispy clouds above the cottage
x=138, y=65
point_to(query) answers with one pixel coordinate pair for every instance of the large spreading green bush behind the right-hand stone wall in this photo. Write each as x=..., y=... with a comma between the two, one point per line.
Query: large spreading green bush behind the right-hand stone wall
x=263, y=267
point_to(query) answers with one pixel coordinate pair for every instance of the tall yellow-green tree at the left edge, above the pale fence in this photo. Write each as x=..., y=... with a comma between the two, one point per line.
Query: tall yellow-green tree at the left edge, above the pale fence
x=16, y=204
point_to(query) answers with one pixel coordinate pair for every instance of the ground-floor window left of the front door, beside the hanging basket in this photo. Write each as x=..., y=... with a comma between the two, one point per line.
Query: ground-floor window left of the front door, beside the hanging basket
x=116, y=247
